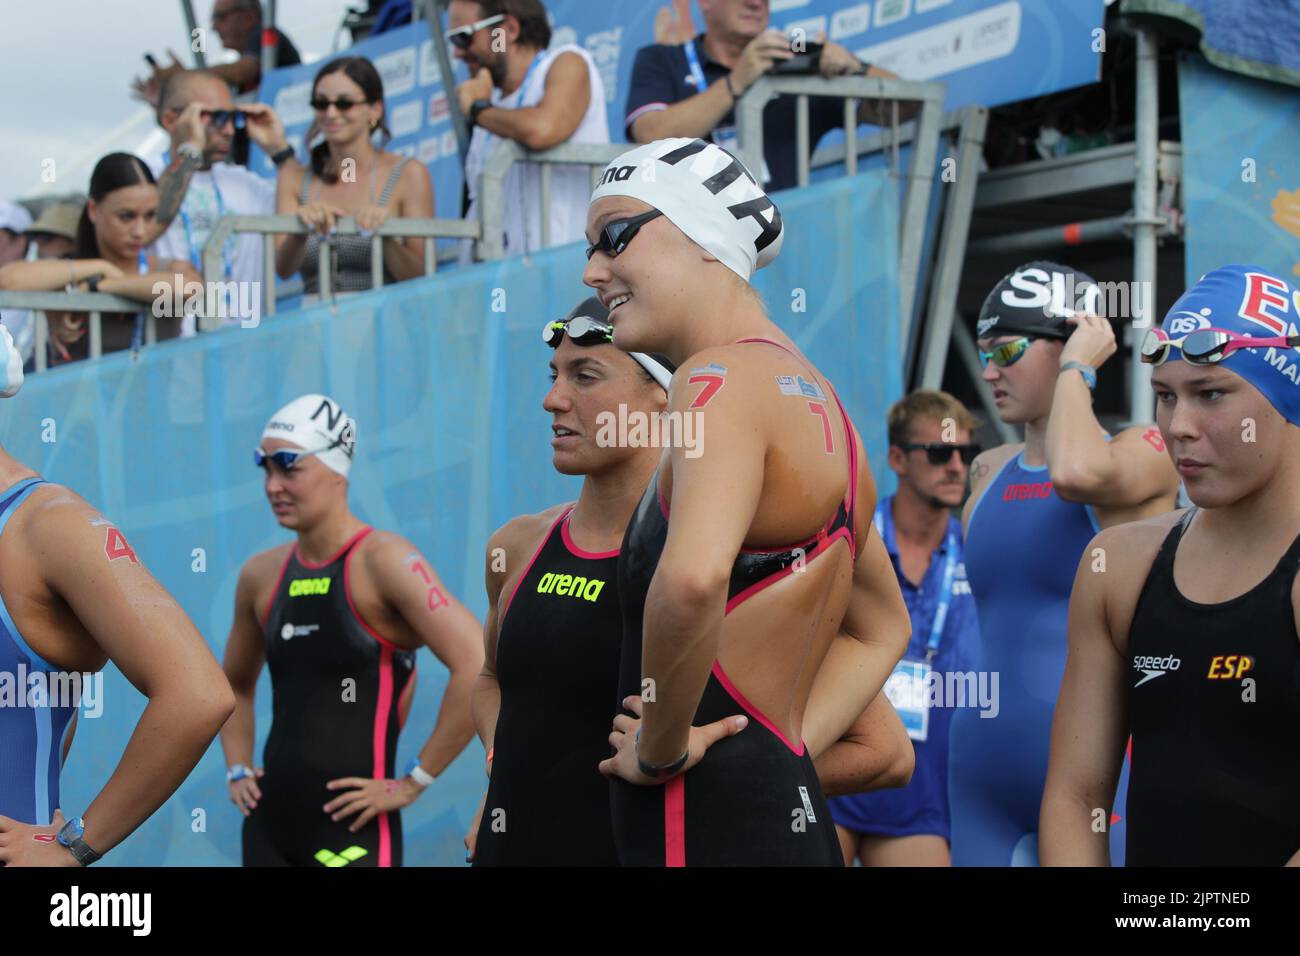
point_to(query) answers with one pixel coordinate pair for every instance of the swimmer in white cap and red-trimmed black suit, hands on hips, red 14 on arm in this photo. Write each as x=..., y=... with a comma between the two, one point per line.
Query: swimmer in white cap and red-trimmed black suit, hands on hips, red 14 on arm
x=339, y=617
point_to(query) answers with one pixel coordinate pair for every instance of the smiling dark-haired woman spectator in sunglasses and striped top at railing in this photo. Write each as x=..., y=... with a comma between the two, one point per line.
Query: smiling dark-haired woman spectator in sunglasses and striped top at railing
x=350, y=176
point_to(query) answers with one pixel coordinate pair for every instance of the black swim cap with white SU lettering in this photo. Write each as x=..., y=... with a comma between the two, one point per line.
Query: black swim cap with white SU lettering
x=1037, y=300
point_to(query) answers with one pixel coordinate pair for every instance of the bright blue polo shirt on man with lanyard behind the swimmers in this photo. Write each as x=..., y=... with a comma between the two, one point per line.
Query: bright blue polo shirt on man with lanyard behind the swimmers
x=922, y=806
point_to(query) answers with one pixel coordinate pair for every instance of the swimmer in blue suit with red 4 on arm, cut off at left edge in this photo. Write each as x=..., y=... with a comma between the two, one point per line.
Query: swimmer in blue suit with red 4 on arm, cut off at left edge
x=73, y=598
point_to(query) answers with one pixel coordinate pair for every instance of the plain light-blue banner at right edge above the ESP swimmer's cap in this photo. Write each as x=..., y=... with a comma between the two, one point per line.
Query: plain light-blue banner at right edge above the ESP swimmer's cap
x=1241, y=171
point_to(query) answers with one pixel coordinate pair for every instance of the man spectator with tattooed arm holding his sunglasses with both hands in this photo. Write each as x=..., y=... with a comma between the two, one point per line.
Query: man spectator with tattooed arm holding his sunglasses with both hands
x=198, y=187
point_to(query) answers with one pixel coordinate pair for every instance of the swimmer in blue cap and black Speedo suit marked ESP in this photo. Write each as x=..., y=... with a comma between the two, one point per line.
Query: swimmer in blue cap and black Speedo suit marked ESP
x=1190, y=641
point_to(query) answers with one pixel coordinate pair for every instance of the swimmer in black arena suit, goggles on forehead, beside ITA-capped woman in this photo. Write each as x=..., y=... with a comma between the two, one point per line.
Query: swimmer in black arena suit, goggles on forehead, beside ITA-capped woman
x=554, y=625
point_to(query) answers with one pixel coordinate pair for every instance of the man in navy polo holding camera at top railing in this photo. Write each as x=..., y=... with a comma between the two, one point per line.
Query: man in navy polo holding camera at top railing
x=691, y=90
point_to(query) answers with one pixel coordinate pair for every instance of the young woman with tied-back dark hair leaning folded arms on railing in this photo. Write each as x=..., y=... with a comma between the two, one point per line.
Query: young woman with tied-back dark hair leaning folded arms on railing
x=110, y=258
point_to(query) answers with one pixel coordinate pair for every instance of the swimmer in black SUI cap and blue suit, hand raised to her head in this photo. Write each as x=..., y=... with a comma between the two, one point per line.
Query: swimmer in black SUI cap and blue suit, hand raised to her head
x=1033, y=509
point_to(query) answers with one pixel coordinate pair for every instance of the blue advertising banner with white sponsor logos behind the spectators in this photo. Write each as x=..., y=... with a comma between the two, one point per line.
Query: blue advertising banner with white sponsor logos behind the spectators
x=987, y=51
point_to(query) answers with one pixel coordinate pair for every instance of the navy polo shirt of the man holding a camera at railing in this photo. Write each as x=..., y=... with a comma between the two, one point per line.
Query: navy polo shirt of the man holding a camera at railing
x=662, y=76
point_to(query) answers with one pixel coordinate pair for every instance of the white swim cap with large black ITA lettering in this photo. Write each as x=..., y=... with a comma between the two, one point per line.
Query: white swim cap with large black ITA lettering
x=708, y=194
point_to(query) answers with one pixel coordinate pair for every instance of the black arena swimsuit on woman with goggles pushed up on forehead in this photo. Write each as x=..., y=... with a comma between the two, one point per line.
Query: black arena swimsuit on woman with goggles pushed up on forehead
x=557, y=664
